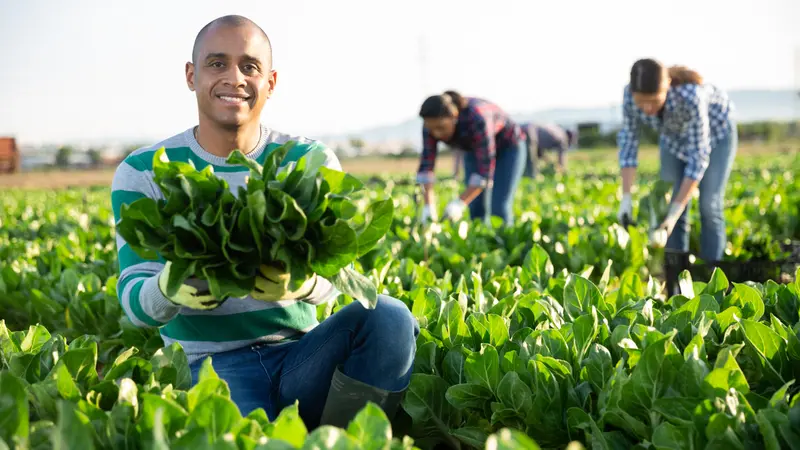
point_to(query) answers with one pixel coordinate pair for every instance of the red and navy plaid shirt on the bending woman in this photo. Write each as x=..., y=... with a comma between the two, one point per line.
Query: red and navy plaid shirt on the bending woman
x=482, y=128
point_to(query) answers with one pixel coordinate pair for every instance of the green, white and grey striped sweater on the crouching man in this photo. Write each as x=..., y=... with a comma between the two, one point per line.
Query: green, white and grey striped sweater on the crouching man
x=237, y=322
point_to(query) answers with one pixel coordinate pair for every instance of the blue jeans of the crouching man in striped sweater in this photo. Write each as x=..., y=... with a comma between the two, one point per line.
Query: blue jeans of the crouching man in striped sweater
x=376, y=347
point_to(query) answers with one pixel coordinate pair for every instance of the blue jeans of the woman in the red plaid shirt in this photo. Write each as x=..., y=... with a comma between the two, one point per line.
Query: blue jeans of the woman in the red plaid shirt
x=499, y=199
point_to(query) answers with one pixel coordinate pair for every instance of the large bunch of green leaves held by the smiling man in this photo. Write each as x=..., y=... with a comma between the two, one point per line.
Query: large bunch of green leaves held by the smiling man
x=302, y=217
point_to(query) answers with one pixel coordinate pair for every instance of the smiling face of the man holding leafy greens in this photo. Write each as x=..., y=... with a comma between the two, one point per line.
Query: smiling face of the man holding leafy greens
x=232, y=76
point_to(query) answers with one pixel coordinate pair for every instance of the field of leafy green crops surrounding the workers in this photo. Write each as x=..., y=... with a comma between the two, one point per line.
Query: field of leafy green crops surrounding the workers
x=555, y=330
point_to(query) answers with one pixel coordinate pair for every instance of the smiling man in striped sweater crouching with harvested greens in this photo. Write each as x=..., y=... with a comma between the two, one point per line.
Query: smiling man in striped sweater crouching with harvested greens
x=268, y=346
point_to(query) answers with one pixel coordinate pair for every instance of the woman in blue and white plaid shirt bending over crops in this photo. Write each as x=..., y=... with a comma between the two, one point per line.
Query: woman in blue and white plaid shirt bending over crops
x=698, y=141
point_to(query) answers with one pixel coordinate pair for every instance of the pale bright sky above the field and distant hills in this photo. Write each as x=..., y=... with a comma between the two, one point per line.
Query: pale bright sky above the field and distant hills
x=86, y=69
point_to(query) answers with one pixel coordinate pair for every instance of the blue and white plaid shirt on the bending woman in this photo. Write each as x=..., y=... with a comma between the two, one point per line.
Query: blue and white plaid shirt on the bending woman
x=695, y=118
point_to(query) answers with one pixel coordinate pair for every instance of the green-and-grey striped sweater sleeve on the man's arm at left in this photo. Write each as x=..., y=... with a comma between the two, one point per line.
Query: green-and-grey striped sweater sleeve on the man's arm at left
x=137, y=285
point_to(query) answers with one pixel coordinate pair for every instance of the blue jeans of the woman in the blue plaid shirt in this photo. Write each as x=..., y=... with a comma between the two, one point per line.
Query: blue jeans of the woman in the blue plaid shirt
x=713, y=238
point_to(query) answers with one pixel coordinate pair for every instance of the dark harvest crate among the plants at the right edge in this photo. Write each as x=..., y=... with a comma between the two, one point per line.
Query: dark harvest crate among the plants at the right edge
x=759, y=271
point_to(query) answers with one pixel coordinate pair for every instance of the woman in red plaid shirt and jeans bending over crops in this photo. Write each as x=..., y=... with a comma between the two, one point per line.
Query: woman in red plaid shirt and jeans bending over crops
x=493, y=147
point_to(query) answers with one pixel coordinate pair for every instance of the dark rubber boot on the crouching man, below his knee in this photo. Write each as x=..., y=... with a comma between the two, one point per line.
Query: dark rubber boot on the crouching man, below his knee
x=348, y=396
